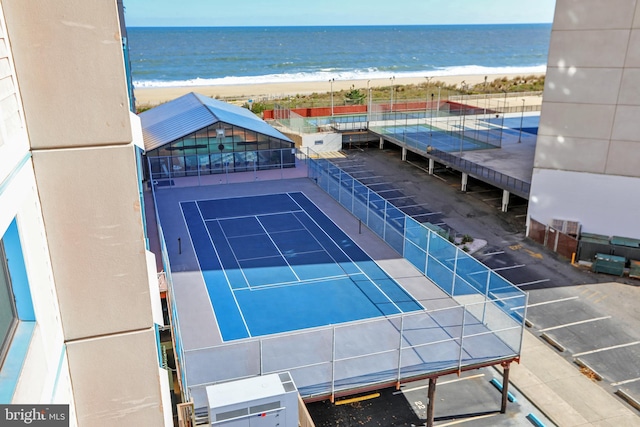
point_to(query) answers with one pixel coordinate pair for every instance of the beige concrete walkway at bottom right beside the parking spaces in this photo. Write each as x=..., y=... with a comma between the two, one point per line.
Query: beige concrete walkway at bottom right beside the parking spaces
x=566, y=396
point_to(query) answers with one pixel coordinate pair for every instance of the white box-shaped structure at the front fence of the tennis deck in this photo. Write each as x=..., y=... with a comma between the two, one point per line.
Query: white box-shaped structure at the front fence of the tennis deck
x=266, y=401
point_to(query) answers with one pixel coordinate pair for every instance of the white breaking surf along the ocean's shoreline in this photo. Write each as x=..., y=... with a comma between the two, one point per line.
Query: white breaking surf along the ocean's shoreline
x=327, y=74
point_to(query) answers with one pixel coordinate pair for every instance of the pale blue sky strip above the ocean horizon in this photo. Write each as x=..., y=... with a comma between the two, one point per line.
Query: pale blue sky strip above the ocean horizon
x=225, y=13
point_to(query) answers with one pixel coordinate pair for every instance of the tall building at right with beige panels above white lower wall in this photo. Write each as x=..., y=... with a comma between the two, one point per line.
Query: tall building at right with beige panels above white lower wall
x=587, y=158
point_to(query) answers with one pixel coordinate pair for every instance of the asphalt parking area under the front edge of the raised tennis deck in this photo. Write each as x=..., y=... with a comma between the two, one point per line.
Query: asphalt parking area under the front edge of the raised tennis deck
x=470, y=399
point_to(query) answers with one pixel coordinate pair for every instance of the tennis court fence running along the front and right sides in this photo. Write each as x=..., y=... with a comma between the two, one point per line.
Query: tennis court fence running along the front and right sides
x=483, y=327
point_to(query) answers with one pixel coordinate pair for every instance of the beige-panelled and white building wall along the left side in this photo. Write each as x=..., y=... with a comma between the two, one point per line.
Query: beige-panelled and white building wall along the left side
x=68, y=177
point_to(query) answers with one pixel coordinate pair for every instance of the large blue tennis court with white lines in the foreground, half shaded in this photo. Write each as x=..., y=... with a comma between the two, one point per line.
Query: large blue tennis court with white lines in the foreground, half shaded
x=276, y=263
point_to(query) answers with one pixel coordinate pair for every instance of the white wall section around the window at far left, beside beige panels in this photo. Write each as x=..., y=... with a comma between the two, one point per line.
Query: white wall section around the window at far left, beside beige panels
x=42, y=376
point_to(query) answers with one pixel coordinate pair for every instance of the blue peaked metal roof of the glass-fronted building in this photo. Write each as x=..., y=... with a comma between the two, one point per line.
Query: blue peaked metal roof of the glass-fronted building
x=191, y=112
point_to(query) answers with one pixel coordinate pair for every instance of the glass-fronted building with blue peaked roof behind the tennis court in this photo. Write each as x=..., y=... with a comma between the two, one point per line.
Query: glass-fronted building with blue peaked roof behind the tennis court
x=197, y=135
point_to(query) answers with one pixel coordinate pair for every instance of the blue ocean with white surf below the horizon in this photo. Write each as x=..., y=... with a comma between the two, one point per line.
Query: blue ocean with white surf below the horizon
x=162, y=57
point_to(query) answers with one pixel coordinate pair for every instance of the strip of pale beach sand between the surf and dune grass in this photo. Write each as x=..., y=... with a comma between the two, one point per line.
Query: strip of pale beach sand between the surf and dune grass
x=149, y=97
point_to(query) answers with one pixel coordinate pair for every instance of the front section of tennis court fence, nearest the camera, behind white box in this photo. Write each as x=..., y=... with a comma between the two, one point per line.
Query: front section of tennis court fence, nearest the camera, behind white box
x=327, y=360
